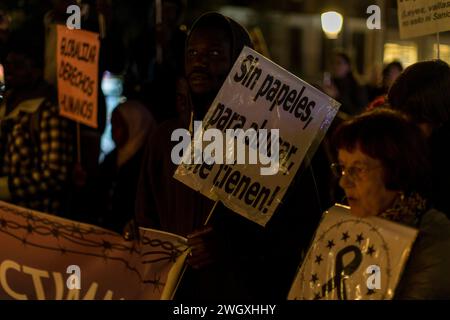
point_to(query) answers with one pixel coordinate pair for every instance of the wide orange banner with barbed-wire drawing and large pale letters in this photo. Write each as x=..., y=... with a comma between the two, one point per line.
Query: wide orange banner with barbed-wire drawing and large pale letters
x=46, y=257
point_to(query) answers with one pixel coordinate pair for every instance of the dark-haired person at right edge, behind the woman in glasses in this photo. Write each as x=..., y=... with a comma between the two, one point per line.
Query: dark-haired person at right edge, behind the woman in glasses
x=422, y=92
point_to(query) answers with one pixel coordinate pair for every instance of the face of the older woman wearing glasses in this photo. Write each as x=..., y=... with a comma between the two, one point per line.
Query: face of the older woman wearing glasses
x=363, y=183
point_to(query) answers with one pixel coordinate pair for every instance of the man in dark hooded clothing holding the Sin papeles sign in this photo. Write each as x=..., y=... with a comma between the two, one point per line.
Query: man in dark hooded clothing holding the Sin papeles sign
x=232, y=257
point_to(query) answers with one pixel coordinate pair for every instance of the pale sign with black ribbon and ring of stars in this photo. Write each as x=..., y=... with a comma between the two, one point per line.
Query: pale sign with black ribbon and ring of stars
x=340, y=262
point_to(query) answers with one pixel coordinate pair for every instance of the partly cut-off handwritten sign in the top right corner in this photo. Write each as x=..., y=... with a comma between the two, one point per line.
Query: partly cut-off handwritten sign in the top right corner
x=422, y=17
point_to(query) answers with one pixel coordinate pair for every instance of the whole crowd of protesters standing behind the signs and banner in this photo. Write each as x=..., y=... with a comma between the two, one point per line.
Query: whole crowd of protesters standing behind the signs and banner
x=401, y=170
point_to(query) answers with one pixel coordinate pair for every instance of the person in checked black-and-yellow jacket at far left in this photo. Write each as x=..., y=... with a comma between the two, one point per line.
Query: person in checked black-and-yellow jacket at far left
x=36, y=144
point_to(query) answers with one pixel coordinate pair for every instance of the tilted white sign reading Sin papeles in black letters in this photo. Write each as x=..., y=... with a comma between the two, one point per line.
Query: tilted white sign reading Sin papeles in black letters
x=257, y=95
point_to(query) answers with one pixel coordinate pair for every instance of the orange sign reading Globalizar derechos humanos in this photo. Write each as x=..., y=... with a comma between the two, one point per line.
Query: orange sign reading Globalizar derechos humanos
x=77, y=55
